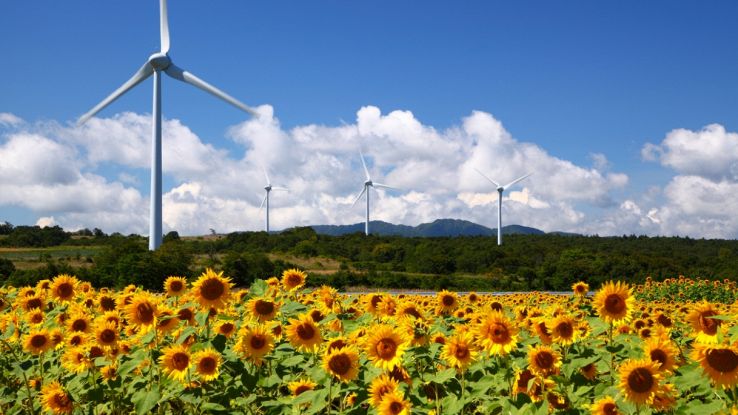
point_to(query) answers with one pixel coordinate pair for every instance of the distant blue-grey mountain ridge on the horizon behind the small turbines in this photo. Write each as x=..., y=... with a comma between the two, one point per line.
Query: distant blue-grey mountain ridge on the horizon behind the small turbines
x=437, y=228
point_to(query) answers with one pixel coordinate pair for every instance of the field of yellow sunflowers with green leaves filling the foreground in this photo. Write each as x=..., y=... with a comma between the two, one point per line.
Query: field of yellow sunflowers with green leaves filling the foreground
x=277, y=348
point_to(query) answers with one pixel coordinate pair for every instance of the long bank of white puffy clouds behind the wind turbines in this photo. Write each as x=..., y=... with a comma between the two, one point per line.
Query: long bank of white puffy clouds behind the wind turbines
x=222, y=190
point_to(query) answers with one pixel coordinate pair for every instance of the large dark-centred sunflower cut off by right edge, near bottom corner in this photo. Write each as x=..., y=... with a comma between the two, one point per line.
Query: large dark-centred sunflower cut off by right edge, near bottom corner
x=720, y=363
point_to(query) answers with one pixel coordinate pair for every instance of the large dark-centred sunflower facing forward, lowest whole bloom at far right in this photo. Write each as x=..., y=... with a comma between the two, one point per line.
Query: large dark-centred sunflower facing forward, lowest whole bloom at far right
x=639, y=380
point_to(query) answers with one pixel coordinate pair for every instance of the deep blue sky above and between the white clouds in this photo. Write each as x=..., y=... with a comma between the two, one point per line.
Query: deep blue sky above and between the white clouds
x=574, y=79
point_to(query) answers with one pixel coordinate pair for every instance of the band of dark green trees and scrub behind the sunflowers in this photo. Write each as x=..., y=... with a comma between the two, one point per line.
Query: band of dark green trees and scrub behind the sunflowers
x=523, y=262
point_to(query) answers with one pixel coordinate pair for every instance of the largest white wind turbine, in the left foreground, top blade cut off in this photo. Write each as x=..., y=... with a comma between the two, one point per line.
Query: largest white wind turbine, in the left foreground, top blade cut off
x=157, y=63
